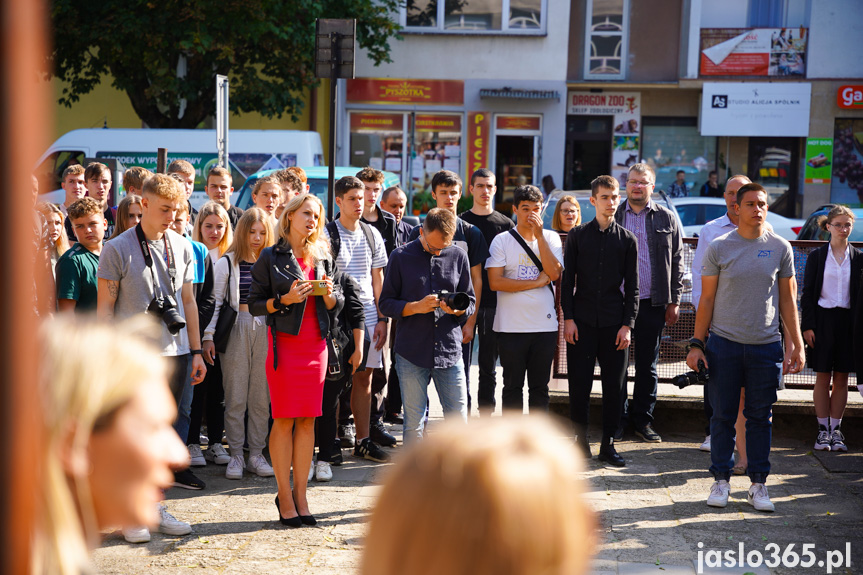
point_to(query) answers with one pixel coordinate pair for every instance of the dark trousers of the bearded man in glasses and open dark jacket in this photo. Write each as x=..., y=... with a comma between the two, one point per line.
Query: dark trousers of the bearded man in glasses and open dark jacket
x=645, y=338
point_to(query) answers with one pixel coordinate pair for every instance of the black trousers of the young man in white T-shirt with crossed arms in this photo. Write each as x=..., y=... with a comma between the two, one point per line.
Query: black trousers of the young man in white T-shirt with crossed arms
x=528, y=354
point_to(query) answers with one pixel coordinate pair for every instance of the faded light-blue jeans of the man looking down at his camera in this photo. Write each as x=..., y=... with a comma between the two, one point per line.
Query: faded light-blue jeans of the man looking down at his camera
x=413, y=380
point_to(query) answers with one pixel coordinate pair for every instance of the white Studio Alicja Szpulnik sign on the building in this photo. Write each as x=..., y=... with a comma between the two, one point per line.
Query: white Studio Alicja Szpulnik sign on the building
x=755, y=109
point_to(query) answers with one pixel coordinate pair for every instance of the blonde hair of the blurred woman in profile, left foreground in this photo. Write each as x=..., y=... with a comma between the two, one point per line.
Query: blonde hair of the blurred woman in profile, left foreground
x=80, y=396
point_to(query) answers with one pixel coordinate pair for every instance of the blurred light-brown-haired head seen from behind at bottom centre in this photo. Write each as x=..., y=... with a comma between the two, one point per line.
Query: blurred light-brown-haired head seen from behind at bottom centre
x=499, y=497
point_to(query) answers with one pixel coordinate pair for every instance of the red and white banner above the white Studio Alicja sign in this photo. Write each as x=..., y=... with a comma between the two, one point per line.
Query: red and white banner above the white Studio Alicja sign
x=756, y=52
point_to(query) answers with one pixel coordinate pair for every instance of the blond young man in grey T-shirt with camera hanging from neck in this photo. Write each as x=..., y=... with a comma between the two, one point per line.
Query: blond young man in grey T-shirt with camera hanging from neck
x=150, y=269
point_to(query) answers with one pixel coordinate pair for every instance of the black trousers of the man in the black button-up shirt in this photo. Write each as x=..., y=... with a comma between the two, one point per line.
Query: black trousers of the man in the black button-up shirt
x=596, y=343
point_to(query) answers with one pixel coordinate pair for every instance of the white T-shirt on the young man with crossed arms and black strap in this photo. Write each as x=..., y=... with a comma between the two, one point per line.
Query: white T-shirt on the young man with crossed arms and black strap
x=529, y=311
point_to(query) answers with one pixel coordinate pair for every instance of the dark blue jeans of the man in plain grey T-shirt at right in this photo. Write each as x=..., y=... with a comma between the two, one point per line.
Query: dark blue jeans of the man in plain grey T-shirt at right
x=758, y=370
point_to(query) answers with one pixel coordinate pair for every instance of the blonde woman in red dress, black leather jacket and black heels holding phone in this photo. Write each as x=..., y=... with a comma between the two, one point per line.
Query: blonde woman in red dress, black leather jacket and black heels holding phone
x=297, y=361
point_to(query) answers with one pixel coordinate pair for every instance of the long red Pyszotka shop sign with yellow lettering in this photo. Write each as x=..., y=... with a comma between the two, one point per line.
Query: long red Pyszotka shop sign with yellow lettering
x=400, y=91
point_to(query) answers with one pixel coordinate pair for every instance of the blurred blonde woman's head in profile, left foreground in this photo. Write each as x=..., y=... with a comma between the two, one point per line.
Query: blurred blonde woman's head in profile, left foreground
x=109, y=445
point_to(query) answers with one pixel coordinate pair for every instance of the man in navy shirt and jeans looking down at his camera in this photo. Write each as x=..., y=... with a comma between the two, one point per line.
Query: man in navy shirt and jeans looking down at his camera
x=427, y=286
